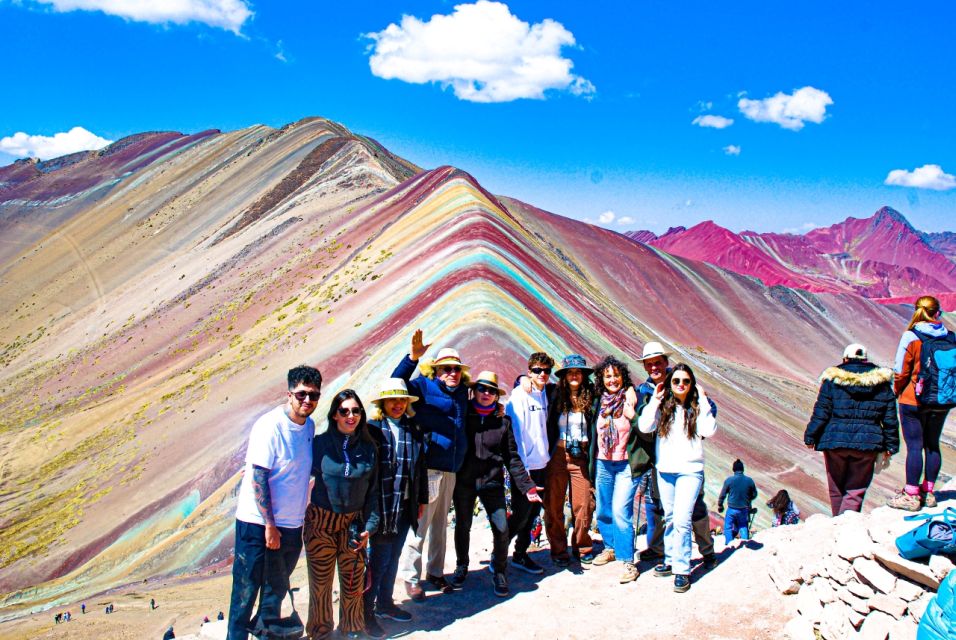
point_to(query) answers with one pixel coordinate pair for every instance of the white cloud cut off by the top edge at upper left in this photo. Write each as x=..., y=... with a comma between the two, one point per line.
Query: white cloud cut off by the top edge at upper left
x=223, y=14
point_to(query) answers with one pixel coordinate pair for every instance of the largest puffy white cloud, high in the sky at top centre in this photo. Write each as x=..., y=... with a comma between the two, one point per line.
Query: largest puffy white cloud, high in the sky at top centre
x=482, y=51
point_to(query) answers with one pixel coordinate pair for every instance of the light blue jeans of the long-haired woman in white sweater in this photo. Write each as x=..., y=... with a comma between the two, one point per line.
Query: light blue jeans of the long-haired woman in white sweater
x=678, y=495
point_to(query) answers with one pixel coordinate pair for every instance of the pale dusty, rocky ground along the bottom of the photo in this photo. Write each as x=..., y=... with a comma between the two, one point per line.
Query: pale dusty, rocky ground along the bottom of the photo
x=841, y=574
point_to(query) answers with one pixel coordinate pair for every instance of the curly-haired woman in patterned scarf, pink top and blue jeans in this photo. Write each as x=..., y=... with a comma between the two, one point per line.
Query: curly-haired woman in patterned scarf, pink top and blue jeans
x=613, y=427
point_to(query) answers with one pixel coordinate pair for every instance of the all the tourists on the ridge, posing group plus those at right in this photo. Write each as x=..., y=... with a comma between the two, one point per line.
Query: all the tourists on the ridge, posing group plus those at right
x=386, y=473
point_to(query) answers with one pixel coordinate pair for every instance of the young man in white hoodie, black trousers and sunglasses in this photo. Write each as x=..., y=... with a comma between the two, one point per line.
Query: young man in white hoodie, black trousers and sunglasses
x=528, y=411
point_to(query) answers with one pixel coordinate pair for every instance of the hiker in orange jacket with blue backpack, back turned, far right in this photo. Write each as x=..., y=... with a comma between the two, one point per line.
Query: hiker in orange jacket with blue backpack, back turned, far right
x=925, y=385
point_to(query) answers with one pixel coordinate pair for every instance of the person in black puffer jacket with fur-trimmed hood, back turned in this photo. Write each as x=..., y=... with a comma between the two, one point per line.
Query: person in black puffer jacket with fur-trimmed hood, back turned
x=854, y=421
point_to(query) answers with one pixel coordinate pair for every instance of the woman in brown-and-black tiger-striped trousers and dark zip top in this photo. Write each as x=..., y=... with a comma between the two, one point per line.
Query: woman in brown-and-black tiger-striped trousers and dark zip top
x=343, y=512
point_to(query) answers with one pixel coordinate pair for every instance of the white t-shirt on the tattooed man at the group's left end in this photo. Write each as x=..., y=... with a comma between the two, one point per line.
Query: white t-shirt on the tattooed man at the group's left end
x=285, y=448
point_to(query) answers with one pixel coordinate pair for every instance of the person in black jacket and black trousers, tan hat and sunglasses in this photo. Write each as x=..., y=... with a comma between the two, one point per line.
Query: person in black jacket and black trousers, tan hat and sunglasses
x=491, y=447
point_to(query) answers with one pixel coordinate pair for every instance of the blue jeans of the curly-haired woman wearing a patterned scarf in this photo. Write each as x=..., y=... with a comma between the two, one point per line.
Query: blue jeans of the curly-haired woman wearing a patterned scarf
x=615, y=489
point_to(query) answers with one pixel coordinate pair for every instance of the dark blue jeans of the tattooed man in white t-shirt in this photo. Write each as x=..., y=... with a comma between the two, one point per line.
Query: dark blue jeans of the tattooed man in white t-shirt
x=250, y=575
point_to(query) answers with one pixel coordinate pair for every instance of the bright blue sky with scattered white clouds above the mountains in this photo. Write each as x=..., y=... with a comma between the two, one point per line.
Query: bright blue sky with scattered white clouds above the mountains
x=584, y=111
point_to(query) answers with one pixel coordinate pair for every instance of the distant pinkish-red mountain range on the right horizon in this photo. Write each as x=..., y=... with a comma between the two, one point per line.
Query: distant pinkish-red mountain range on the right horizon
x=881, y=257
